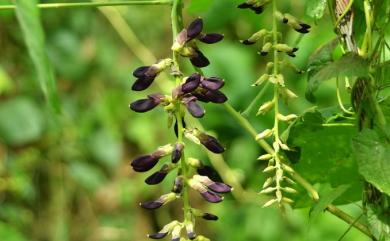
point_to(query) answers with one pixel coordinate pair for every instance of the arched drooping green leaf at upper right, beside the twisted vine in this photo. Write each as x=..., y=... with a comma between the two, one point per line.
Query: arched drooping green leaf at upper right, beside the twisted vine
x=349, y=65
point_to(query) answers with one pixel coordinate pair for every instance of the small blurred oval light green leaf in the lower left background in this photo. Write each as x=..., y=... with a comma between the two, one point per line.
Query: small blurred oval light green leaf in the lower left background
x=88, y=176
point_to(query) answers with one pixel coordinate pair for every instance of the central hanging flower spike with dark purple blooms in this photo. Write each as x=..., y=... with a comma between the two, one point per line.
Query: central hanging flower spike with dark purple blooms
x=191, y=173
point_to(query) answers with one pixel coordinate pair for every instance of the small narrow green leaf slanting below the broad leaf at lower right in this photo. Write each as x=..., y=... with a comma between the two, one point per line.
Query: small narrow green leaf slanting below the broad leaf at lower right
x=327, y=199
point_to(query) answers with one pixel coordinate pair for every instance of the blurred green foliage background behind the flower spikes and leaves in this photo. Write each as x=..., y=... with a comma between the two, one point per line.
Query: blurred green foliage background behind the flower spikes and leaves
x=67, y=177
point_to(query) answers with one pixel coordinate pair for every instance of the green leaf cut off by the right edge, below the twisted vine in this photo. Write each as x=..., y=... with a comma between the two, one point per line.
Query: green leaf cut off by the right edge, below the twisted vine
x=373, y=157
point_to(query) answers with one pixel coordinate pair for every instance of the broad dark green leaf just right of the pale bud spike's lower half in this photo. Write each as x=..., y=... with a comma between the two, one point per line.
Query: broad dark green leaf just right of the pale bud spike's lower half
x=325, y=154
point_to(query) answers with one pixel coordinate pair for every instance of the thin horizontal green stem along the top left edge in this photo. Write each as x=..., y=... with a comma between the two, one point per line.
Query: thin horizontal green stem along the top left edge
x=93, y=4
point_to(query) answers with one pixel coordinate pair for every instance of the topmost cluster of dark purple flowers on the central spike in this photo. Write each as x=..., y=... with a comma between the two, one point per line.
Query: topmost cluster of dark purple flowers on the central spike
x=185, y=43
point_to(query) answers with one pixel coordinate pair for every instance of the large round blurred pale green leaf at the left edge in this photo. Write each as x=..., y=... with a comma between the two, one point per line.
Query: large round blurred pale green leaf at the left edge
x=21, y=121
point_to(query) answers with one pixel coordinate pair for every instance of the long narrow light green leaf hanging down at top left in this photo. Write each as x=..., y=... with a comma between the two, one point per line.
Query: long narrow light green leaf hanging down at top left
x=28, y=16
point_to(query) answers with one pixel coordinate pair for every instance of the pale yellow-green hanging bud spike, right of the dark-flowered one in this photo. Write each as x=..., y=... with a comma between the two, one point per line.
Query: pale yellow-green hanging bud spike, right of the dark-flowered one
x=278, y=183
